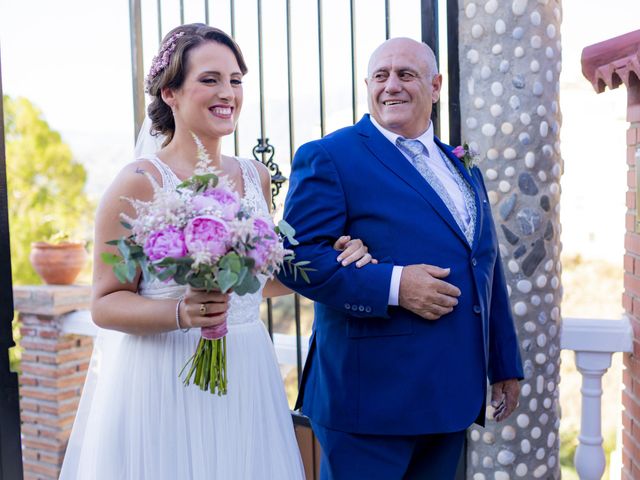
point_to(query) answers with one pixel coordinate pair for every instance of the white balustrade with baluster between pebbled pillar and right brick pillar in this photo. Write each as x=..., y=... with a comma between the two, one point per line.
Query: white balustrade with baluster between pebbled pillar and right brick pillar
x=594, y=342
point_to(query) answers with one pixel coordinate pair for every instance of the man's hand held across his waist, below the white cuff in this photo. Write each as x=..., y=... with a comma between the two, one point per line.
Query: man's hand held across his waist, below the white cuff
x=424, y=293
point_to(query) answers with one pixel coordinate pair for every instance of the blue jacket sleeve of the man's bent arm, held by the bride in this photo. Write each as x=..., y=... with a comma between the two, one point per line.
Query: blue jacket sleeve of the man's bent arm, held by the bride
x=316, y=208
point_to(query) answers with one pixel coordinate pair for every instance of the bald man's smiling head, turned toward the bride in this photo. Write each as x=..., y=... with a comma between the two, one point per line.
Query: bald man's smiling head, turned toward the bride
x=401, y=89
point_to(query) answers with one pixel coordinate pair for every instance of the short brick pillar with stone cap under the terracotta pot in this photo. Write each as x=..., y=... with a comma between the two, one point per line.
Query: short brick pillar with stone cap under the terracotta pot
x=53, y=369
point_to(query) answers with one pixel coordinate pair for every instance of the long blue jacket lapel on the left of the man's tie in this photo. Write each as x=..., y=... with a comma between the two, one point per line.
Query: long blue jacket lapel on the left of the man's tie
x=389, y=155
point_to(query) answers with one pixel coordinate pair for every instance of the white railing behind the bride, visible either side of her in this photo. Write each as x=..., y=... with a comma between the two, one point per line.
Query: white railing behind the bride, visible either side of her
x=80, y=323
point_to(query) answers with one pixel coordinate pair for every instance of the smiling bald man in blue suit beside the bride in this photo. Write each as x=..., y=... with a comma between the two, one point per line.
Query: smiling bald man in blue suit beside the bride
x=401, y=351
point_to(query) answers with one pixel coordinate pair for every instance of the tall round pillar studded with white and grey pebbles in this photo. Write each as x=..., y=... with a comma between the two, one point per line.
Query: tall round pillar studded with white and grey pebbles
x=509, y=71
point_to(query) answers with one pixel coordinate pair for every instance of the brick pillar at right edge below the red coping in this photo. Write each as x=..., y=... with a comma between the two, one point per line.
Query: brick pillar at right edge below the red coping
x=631, y=301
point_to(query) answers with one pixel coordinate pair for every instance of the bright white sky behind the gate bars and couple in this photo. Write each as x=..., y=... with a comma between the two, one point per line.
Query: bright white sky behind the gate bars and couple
x=72, y=59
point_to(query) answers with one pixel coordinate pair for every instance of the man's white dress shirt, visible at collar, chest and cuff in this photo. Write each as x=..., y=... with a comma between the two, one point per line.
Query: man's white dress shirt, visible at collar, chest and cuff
x=442, y=172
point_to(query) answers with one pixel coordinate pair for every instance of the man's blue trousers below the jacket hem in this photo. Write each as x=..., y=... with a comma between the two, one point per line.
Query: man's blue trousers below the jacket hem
x=348, y=456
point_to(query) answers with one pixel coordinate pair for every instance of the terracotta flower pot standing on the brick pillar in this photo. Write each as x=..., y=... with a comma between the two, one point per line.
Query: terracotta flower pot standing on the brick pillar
x=58, y=263
